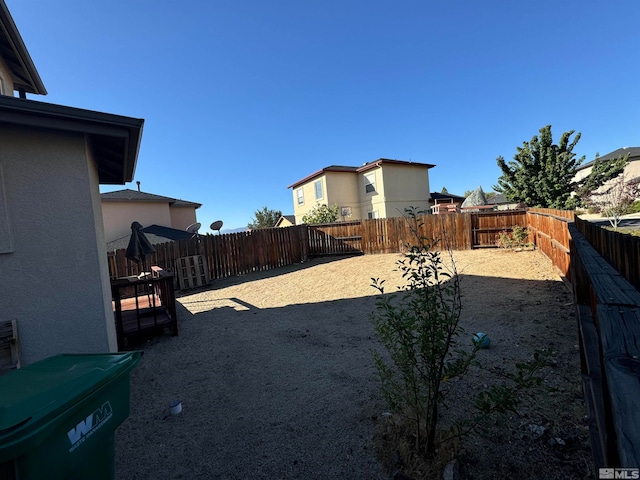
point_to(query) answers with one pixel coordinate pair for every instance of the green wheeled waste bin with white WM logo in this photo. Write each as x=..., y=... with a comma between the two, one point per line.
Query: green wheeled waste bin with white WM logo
x=58, y=416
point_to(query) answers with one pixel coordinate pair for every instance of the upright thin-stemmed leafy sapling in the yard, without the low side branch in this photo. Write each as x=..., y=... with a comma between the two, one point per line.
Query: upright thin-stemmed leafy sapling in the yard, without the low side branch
x=419, y=329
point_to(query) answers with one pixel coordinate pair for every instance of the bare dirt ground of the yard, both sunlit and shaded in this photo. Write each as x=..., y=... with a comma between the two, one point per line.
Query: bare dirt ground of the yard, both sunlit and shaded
x=276, y=379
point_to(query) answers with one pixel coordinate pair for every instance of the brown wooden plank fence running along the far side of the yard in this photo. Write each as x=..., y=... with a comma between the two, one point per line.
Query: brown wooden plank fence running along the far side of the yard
x=264, y=249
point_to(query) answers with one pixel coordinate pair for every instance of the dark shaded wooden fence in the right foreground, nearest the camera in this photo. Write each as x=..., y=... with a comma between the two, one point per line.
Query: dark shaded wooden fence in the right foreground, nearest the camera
x=609, y=335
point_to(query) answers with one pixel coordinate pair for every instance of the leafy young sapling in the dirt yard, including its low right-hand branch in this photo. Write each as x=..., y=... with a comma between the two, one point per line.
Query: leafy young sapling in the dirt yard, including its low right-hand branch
x=419, y=327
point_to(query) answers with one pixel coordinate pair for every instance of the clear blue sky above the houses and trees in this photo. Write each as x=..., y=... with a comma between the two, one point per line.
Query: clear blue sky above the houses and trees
x=241, y=98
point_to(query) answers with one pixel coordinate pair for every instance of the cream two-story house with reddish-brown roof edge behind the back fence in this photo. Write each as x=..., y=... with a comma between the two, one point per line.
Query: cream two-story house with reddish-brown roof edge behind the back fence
x=379, y=189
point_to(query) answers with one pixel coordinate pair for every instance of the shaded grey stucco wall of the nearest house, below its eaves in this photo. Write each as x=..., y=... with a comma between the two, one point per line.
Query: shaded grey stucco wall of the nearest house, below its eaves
x=55, y=279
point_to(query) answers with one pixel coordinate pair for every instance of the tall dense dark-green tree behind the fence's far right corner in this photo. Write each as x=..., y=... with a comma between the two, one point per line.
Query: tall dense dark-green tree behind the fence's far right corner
x=541, y=173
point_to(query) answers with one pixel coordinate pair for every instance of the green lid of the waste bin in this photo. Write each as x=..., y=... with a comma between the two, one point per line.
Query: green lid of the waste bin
x=46, y=388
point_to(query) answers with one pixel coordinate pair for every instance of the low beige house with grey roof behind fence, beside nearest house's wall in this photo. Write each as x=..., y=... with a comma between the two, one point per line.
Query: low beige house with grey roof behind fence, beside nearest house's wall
x=122, y=207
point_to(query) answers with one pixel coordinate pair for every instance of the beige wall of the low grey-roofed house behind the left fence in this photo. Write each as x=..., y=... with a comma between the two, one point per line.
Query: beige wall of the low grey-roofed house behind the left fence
x=118, y=216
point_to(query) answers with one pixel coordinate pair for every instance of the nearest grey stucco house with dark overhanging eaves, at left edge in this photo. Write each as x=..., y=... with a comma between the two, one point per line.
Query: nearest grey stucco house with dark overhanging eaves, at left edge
x=55, y=276
